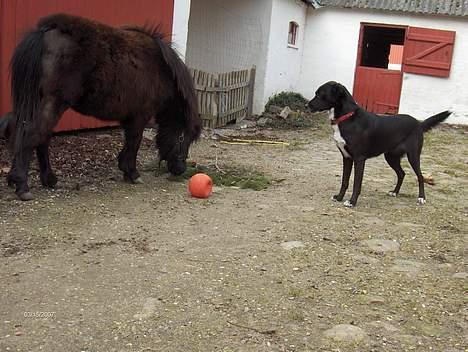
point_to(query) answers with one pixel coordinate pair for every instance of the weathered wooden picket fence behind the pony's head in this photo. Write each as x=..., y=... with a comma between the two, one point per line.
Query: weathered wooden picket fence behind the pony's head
x=224, y=97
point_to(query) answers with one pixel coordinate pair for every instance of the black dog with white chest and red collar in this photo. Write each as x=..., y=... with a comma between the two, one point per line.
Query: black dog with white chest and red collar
x=360, y=135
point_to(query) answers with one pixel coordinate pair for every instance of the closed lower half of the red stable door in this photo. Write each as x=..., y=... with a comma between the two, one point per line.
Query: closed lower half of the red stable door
x=378, y=90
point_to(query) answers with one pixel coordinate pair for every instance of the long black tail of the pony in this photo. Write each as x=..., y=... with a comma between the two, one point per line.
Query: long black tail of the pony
x=26, y=73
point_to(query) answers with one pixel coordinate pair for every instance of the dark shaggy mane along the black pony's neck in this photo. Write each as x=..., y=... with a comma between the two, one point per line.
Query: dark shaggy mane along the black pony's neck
x=180, y=74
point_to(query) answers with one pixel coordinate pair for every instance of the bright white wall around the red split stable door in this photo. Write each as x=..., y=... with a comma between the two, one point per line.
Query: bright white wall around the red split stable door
x=330, y=53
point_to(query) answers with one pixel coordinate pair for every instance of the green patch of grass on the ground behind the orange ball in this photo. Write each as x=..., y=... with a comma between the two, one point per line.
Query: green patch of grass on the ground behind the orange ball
x=241, y=177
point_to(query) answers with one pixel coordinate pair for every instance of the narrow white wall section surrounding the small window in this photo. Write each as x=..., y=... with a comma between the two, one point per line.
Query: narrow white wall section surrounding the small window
x=283, y=61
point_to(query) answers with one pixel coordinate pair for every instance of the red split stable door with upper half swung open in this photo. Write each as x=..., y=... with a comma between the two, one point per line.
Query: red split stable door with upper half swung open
x=385, y=52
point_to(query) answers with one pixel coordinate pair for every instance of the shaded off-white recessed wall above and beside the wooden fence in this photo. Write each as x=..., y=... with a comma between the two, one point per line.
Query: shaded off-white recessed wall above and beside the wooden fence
x=230, y=35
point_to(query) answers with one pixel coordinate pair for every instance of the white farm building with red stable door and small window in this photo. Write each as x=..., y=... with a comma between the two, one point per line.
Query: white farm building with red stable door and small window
x=298, y=45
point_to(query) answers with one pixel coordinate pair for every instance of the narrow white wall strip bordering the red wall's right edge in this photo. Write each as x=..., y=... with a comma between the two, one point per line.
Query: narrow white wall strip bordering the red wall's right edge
x=180, y=26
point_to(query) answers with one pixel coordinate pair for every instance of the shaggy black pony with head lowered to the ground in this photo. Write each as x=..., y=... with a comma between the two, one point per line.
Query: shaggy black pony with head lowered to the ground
x=126, y=74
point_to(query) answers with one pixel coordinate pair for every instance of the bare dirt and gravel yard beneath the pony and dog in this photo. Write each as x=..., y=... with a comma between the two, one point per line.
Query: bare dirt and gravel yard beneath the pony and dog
x=101, y=265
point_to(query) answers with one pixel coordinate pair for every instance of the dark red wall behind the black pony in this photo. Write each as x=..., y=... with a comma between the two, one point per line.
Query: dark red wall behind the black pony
x=17, y=16
